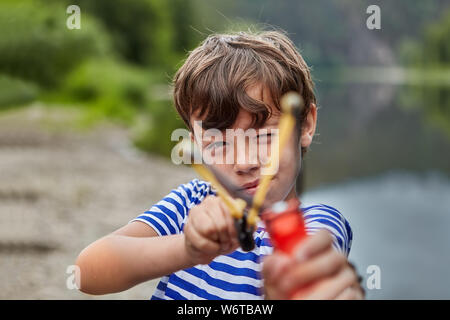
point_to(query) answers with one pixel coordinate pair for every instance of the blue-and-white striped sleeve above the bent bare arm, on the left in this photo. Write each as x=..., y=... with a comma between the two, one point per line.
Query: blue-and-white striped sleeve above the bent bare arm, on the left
x=168, y=216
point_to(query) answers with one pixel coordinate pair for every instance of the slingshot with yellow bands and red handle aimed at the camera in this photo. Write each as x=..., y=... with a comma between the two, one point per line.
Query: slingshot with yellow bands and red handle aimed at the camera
x=284, y=220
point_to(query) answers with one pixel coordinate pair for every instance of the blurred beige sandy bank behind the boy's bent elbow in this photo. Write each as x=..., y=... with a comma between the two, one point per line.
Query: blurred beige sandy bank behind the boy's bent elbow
x=60, y=190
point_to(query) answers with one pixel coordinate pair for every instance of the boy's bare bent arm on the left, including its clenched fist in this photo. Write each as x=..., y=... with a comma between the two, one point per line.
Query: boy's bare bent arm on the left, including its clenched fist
x=135, y=253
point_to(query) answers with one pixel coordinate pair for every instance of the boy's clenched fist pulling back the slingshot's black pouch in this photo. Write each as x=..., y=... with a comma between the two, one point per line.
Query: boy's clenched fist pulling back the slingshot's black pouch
x=209, y=231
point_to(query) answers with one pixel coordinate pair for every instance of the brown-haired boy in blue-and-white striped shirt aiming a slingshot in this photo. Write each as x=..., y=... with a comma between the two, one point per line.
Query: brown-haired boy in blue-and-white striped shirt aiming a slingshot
x=189, y=238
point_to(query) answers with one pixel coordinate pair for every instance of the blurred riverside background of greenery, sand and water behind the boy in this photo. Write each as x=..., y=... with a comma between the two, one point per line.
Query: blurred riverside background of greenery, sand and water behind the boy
x=86, y=117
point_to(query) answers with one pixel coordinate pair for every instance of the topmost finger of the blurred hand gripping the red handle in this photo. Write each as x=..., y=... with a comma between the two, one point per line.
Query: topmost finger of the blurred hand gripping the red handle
x=314, y=245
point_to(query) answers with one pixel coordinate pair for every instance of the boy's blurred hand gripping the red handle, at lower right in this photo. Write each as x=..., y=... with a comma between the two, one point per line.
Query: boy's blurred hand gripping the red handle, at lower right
x=318, y=272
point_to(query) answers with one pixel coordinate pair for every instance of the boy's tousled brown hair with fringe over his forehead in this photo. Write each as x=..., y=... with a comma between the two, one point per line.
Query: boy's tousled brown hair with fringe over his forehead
x=216, y=75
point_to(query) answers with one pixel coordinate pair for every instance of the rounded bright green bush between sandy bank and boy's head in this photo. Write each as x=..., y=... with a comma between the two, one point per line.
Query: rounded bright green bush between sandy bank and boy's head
x=124, y=93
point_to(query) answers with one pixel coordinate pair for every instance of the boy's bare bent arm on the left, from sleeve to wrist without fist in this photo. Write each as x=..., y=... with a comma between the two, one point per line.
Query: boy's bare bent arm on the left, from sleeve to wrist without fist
x=131, y=255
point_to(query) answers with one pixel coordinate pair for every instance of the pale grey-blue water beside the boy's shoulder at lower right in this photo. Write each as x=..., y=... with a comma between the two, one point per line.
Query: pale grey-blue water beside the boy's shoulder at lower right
x=400, y=223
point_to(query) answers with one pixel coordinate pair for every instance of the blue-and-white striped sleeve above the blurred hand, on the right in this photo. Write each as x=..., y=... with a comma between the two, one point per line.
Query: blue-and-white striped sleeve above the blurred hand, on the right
x=325, y=217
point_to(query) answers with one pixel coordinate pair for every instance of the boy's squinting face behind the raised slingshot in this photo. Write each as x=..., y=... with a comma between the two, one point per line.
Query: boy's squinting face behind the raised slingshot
x=241, y=151
